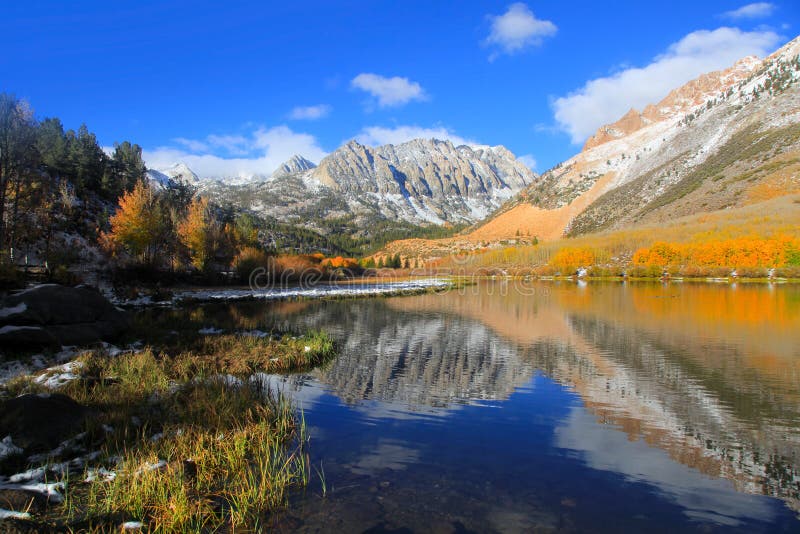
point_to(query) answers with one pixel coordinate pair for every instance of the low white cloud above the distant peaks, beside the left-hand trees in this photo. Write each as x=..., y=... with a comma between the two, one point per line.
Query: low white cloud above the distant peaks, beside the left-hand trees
x=260, y=152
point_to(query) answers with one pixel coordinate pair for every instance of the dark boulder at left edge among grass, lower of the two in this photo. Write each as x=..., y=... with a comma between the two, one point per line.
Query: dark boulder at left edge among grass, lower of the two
x=39, y=422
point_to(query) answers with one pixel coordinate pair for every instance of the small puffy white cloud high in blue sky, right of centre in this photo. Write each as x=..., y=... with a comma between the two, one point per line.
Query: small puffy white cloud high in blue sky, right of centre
x=516, y=29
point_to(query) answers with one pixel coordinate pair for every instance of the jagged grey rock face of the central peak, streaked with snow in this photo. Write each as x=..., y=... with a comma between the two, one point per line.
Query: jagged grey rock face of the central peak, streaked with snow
x=426, y=180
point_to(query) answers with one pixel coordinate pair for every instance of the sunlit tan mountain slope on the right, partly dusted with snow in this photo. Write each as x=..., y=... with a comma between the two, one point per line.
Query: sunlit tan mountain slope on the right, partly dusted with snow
x=725, y=140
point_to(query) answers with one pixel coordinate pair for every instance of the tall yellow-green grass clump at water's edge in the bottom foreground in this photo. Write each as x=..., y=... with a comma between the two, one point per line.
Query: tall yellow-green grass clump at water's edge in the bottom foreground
x=217, y=465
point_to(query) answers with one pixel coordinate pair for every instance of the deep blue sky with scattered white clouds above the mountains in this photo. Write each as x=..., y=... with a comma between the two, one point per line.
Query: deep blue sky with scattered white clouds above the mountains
x=238, y=87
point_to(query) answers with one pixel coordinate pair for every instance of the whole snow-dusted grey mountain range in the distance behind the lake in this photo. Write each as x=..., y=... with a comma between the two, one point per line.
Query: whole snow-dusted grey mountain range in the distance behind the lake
x=359, y=189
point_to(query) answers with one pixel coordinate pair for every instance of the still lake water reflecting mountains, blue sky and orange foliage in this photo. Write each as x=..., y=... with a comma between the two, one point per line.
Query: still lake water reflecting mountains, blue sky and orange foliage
x=554, y=406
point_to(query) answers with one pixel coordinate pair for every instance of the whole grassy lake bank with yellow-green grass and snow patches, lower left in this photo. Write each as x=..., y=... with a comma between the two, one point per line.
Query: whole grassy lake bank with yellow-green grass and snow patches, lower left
x=184, y=439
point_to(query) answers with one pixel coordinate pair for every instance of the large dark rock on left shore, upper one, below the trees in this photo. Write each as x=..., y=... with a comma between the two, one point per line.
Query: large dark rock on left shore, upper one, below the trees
x=52, y=315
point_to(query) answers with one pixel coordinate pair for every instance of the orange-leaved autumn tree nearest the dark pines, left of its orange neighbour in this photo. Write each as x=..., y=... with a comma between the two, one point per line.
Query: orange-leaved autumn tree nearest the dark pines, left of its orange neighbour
x=138, y=226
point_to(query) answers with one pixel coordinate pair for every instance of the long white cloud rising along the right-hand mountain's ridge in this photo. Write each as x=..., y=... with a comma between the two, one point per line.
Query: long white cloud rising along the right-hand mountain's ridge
x=604, y=100
